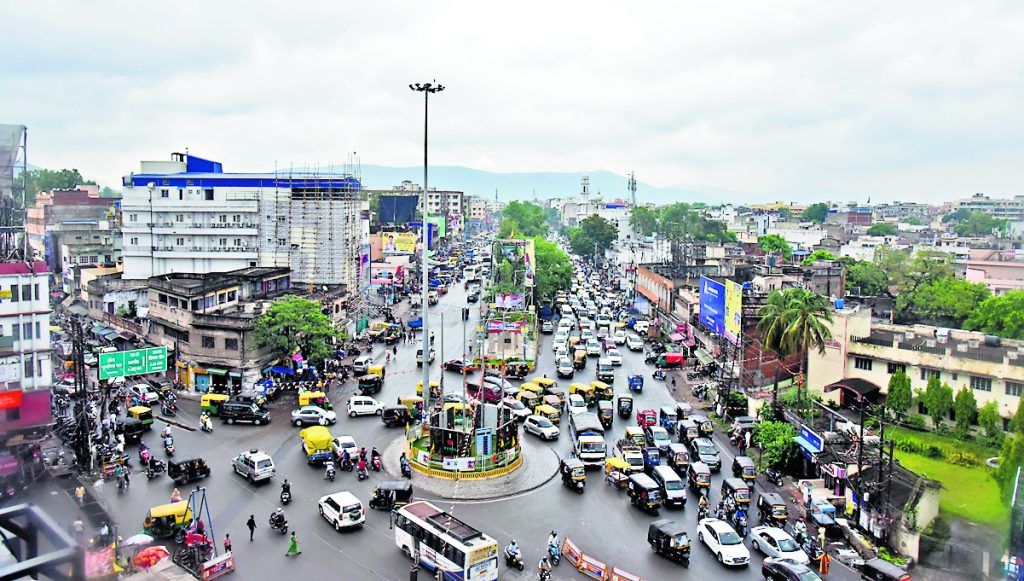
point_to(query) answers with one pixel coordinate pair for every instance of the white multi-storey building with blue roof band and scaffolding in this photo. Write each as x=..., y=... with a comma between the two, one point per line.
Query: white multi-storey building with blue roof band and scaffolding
x=187, y=216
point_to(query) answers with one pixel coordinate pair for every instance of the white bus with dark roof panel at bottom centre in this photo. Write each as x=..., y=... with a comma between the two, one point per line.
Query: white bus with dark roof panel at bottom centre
x=442, y=542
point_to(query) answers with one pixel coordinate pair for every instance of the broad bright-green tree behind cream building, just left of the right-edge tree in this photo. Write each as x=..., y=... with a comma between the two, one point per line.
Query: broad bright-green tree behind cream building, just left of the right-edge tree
x=946, y=303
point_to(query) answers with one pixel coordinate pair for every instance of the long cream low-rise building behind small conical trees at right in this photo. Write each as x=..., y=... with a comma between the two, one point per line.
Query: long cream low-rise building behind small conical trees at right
x=872, y=352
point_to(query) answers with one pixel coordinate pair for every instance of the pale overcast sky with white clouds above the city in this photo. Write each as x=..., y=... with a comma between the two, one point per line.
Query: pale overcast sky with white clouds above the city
x=913, y=101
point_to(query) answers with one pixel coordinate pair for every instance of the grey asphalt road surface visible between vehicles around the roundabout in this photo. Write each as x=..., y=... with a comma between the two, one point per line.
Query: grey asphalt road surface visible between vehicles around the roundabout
x=602, y=521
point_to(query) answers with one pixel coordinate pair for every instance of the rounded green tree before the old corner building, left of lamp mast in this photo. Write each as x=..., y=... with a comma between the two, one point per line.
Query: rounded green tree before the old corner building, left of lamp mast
x=295, y=325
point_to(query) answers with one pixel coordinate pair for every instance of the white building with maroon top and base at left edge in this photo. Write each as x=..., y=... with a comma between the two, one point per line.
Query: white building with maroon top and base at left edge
x=26, y=371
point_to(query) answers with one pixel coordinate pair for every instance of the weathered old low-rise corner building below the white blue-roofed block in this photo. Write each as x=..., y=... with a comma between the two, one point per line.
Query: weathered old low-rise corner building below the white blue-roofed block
x=207, y=321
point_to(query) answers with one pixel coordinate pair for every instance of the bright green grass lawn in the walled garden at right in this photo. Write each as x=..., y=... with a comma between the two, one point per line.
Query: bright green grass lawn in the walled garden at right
x=968, y=493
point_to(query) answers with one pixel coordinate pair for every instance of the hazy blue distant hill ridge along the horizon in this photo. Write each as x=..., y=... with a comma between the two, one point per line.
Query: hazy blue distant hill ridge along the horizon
x=525, y=186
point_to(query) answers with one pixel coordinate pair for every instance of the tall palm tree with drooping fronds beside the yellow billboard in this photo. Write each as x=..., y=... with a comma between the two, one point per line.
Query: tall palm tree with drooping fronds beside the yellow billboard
x=795, y=321
